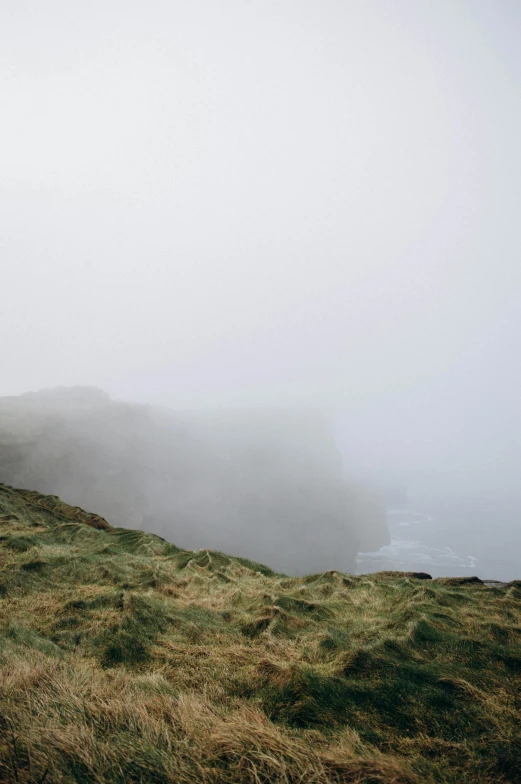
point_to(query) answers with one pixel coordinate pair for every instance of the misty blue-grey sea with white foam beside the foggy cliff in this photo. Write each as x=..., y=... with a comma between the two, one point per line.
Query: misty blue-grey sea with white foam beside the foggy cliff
x=451, y=542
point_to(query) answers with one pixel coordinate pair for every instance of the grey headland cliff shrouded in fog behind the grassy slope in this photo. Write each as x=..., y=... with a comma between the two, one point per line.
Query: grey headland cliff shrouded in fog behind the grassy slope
x=265, y=485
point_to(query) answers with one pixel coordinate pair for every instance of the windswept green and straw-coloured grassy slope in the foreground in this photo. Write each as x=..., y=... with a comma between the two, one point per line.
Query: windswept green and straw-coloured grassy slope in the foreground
x=126, y=659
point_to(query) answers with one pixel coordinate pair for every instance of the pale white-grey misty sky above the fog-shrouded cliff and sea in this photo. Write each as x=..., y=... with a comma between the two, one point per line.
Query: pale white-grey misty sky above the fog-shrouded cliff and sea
x=217, y=203
